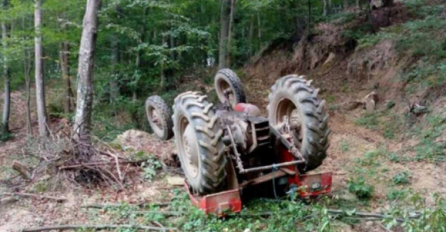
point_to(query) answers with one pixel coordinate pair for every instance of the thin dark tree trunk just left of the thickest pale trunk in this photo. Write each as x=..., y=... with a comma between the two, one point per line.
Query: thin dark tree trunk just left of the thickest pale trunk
x=64, y=66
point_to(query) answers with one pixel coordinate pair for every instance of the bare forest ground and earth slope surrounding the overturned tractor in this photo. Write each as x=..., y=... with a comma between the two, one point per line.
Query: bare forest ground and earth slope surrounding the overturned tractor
x=384, y=82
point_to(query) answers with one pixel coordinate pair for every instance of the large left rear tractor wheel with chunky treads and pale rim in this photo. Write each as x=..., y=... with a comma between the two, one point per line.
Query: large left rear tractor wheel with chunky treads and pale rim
x=198, y=138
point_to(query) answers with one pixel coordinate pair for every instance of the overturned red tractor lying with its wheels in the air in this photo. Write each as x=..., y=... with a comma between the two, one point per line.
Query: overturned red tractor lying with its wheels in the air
x=229, y=152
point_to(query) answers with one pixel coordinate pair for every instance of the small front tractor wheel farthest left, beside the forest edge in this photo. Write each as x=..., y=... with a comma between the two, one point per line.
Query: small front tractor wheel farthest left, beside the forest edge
x=158, y=114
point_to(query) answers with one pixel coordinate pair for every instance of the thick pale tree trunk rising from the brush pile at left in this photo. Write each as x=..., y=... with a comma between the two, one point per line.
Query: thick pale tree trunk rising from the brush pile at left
x=82, y=120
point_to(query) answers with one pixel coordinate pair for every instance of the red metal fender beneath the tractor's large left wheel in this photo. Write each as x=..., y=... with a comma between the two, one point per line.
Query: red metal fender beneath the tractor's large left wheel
x=217, y=203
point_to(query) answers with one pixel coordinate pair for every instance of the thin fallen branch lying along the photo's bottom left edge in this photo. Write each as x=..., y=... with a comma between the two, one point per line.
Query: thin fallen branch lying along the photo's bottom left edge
x=96, y=227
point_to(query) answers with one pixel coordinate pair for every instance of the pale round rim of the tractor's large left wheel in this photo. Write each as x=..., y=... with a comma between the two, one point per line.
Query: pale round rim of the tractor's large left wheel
x=188, y=147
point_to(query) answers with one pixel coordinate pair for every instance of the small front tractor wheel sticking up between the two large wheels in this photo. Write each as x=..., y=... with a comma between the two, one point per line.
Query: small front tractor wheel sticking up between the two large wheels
x=227, y=80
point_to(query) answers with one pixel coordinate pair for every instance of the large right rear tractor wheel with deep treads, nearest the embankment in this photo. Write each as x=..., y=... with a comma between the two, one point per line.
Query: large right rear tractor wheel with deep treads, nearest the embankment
x=293, y=99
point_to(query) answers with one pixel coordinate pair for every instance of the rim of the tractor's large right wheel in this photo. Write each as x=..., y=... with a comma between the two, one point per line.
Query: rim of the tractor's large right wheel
x=288, y=111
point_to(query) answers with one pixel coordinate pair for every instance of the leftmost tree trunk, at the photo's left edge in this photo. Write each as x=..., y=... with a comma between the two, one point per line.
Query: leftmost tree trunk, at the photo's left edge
x=6, y=76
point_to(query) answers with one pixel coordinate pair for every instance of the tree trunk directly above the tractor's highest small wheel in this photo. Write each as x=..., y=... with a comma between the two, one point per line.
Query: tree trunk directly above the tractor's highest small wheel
x=224, y=30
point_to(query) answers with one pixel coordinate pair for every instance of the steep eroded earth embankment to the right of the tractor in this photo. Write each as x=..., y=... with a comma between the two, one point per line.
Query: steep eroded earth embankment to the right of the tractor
x=399, y=55
